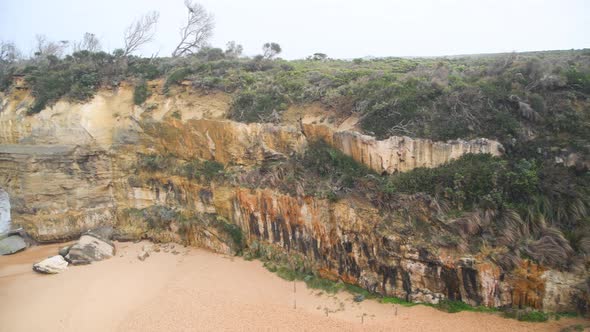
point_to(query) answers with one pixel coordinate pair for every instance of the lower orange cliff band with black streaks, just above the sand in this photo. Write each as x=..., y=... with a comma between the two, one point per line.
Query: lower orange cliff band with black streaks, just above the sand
x=353, y=242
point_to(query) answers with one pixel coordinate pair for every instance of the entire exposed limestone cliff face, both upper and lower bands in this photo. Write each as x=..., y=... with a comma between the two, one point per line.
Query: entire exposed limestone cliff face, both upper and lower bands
x=70, y=168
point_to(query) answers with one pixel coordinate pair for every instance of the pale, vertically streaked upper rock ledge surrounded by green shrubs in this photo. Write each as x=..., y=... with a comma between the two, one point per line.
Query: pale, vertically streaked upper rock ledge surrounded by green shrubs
x=399, y=154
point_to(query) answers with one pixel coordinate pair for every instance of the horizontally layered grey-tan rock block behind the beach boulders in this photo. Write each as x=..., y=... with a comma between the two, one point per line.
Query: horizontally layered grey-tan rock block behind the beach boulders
x=58, y=191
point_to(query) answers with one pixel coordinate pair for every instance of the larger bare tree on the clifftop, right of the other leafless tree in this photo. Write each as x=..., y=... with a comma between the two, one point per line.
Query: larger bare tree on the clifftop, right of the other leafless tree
x=197, y=31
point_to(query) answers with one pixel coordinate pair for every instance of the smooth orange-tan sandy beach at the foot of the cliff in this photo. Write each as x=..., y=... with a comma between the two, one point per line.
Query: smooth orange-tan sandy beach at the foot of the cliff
x=197, y=290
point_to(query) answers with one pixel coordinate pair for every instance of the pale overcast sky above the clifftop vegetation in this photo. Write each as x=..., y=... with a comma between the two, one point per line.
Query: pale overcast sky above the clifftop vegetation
x=339, y=28
